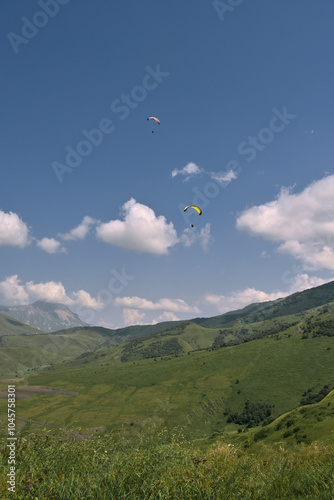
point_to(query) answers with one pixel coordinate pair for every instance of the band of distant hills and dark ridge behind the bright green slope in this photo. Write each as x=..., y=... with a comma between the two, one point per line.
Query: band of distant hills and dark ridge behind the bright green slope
x=35, y=353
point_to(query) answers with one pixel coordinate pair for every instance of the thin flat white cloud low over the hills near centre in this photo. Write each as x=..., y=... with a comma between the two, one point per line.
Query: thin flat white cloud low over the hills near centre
x=175, y=305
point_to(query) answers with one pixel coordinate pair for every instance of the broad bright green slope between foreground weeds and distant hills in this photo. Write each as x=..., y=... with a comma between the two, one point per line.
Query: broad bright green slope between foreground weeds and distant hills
x=192, y=389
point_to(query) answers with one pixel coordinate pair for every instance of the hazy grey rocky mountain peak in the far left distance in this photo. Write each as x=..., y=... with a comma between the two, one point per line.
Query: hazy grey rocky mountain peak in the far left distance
x=46, y=316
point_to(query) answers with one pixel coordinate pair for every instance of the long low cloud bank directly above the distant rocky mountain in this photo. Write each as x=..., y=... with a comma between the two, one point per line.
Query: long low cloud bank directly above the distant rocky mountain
x=13, y=292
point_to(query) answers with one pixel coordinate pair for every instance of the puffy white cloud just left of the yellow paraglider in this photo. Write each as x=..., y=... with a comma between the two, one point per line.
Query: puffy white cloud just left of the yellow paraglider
x=140, y=230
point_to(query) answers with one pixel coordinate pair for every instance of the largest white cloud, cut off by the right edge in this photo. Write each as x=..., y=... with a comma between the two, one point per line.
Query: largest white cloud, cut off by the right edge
x=303, y=222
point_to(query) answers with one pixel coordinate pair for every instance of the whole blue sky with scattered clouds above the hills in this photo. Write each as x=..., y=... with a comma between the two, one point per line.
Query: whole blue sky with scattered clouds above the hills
x=91, y=200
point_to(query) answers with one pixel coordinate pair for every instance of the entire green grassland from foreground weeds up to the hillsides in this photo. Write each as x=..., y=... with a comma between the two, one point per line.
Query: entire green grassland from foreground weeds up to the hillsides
x=189, y=412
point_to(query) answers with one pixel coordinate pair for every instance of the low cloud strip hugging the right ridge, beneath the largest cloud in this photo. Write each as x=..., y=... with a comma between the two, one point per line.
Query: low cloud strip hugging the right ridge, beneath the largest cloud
x=242, y=298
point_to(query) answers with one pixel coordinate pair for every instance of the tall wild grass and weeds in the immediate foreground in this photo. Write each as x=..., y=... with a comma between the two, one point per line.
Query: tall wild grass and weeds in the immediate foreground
x=164, y=465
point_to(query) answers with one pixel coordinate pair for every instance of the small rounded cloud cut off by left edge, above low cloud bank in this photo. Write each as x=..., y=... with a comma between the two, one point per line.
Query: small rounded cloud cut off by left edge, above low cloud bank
x=13, y=231
